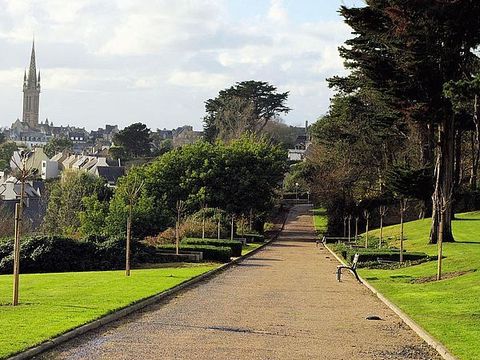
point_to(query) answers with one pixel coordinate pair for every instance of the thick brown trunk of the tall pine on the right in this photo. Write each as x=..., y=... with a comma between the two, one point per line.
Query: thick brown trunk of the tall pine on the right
x=444, y=176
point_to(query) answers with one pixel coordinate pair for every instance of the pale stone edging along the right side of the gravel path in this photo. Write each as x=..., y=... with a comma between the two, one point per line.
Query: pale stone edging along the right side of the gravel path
x=429, y=339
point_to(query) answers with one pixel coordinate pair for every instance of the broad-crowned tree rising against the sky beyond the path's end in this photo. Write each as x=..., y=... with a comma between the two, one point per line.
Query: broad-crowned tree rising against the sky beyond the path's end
x=245, y=107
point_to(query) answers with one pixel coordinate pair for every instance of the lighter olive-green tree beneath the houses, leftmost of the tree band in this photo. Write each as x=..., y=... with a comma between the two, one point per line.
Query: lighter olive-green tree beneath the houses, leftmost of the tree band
x=65, y=204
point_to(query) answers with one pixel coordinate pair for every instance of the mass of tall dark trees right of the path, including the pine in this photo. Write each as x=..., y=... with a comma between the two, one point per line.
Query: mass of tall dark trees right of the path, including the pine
x=404, y=121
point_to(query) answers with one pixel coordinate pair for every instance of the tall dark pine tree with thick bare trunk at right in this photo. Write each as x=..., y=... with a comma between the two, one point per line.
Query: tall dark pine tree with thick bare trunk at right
x=408, y=50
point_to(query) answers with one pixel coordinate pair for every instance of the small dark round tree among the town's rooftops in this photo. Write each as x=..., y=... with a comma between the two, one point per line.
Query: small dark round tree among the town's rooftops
x=134, y=140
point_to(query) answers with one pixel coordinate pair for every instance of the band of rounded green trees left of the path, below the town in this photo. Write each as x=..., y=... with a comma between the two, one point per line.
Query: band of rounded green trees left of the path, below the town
x=240, y=178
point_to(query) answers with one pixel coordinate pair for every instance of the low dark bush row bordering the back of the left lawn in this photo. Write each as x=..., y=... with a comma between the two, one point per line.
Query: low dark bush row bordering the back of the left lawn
x=60, y=254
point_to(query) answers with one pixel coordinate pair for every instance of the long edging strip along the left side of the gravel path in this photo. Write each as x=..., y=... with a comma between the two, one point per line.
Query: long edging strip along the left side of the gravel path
x=95, y=324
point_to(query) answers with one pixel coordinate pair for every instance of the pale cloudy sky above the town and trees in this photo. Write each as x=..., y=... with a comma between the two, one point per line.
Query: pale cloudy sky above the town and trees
x=157, y=61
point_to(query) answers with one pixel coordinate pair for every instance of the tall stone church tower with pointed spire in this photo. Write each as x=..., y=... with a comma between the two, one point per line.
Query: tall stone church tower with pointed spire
x=31, y=93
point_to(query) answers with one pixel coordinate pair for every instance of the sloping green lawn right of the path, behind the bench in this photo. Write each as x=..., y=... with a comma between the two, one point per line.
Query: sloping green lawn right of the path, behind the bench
x=448, y=309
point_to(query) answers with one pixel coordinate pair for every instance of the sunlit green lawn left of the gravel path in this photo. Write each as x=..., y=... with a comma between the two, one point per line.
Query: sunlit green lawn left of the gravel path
x=52, y=304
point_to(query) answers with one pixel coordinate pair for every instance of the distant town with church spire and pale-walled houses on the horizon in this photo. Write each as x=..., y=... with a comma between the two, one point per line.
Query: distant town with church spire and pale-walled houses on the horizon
x=54, y=149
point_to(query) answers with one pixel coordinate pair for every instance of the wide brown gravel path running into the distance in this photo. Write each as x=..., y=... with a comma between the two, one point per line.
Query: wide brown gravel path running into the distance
x=282, y=303
